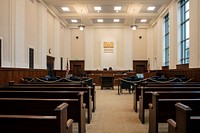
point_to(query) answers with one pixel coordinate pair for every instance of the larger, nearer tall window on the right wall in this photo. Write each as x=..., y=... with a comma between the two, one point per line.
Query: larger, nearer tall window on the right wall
x=184, y=32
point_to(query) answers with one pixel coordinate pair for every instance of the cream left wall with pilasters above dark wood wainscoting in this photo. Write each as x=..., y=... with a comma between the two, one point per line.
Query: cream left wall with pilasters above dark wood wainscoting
x=25, y=24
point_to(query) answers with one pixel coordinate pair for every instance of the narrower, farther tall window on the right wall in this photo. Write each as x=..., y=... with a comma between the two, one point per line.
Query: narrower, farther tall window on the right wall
x=166, y=40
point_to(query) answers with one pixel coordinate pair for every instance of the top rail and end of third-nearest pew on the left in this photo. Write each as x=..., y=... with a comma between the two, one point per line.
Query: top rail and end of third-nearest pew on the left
x=87, y=93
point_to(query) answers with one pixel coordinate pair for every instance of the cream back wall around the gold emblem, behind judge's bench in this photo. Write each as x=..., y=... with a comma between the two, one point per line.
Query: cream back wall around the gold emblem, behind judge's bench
x=127, y=47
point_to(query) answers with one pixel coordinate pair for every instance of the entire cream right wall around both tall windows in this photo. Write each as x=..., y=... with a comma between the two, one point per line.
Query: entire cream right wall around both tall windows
x=155, y=38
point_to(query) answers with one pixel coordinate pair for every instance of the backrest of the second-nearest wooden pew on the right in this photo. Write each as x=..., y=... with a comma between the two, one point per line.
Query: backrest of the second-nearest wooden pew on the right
x=163, y=102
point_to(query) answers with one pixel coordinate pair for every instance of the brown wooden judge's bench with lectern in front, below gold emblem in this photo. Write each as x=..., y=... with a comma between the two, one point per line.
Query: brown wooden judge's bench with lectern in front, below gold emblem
x=101, y=76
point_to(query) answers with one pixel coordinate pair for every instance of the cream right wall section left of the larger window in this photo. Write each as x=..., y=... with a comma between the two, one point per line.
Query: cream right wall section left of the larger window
x=155, y=39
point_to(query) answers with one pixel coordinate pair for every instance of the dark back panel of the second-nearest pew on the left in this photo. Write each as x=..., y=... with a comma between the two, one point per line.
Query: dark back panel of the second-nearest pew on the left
x=30, y=106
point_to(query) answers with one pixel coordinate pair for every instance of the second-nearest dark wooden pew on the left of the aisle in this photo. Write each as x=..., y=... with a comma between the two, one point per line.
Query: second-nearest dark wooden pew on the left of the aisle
x=76, y=108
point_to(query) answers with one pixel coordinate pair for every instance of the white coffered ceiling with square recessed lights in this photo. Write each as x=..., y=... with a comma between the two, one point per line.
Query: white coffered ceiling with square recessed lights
x=132, y=11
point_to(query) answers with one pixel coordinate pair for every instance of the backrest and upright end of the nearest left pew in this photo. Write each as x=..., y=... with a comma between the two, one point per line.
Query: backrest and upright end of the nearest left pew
x=34, y=123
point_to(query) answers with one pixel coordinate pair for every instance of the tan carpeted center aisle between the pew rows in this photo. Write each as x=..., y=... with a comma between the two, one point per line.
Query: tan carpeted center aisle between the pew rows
x=114, y=114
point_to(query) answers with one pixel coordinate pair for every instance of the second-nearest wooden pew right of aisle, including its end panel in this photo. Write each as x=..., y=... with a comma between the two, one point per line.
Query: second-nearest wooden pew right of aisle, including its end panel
x=162, y=107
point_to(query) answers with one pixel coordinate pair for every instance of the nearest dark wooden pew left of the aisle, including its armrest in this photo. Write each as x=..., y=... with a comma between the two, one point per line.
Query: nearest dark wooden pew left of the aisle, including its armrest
x=51, y=121
